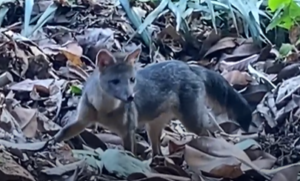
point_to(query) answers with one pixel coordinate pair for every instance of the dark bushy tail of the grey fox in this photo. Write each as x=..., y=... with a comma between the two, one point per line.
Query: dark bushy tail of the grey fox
x=219, y=89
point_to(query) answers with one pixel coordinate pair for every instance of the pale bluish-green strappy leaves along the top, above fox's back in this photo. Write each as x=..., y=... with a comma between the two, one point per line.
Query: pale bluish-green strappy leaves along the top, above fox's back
x=248, y=11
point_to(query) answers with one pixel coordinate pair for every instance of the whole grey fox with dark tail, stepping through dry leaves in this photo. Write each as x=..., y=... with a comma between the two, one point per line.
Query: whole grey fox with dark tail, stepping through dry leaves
x=119, y=98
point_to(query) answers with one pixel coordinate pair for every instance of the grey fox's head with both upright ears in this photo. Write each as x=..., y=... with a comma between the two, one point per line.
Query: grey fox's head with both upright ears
x=117, y=76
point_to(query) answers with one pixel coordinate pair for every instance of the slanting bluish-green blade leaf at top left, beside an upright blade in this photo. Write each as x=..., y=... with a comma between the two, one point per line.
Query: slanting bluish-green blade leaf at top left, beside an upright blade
x=47, y=15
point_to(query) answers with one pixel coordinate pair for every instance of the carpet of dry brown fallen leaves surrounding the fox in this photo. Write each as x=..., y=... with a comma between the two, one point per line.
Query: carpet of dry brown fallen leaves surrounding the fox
x=45, y=66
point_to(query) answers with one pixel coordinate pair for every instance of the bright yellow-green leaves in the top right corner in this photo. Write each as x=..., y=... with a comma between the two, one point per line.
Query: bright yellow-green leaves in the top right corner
x=286, y=13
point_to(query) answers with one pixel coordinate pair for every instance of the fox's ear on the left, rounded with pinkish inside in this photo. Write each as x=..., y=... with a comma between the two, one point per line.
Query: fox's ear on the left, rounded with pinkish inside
x=104, y=59
